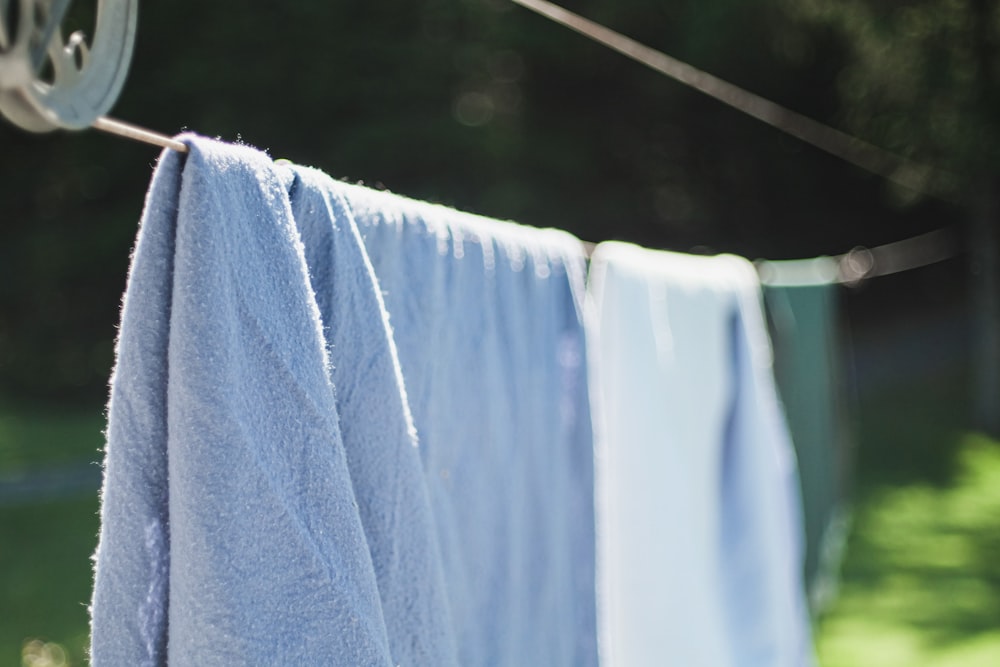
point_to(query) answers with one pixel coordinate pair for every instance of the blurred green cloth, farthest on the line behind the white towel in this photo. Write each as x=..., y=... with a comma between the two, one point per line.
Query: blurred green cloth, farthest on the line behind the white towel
x=804, y=309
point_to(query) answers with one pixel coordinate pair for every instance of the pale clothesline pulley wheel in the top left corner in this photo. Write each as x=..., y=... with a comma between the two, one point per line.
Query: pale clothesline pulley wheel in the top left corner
x=85, y=80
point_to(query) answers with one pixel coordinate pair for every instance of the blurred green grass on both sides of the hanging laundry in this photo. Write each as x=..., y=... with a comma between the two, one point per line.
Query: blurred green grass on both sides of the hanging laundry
x=920, y=583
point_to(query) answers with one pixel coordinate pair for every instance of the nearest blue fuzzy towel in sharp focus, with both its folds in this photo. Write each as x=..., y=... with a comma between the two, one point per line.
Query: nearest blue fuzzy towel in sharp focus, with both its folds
x=263, y=499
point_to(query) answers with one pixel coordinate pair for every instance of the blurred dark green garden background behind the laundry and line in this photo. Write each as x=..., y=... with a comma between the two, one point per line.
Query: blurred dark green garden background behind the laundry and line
x=482, y=105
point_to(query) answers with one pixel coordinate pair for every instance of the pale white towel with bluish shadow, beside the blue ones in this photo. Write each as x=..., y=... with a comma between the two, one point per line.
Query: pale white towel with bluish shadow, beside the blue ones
x=698, y=510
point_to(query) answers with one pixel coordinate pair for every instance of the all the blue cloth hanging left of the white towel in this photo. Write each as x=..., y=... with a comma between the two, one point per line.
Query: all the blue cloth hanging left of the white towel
x=270, y=498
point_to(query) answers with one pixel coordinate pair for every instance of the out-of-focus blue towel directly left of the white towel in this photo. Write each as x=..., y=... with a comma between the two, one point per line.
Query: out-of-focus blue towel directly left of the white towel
x=487, y=319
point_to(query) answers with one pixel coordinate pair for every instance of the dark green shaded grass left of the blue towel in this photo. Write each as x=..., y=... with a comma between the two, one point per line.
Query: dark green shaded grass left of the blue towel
x=45, y=547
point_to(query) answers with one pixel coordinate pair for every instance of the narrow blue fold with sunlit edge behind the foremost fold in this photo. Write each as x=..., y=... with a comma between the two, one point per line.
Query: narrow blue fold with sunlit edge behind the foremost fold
x=380, y=443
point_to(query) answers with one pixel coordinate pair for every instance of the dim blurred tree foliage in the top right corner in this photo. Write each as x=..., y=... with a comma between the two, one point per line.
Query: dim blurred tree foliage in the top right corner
x=920, y=77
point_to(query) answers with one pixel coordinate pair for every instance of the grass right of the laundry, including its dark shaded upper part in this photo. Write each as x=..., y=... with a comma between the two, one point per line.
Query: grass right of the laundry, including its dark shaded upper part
x=920, y=583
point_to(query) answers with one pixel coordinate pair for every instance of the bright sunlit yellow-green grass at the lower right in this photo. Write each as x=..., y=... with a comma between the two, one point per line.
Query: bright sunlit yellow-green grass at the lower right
x=921, y=582
